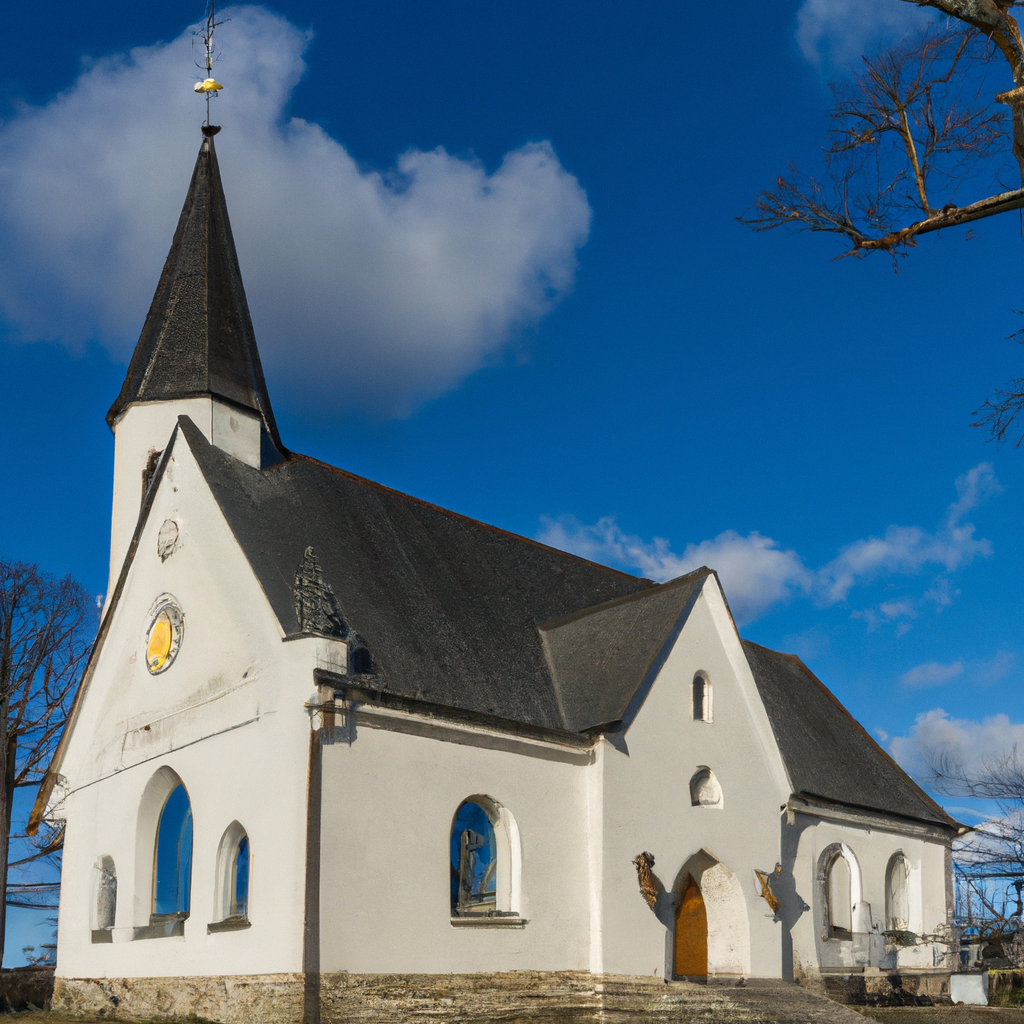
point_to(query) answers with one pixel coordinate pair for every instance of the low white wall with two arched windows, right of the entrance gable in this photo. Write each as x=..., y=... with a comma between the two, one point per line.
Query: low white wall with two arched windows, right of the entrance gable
x=872, y=847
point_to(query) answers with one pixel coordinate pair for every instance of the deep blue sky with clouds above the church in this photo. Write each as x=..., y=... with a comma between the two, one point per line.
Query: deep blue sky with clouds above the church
x=493, y=260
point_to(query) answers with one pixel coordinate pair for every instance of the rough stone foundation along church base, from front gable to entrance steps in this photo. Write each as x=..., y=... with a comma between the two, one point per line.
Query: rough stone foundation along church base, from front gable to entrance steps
x=349, y=999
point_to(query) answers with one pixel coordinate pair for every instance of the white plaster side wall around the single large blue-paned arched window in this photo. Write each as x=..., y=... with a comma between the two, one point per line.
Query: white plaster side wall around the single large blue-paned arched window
x=390, y=800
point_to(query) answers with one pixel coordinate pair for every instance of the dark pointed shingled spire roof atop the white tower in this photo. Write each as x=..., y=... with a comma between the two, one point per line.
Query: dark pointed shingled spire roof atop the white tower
x=198, y=338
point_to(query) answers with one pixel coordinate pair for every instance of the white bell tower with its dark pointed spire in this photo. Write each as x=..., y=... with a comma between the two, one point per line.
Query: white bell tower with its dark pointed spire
x=197, y=357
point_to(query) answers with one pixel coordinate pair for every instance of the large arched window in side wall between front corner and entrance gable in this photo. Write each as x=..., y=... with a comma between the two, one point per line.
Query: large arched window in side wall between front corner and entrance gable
x=484, y=858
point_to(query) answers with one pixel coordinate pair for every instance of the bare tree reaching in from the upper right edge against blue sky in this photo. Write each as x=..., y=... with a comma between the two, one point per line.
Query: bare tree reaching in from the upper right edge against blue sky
x=918, y=123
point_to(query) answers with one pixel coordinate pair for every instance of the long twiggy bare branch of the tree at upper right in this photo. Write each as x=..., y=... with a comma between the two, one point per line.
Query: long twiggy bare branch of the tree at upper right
x=911, y=125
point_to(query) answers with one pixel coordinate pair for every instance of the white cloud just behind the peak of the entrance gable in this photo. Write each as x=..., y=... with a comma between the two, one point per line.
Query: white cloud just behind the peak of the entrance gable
x=754, y=571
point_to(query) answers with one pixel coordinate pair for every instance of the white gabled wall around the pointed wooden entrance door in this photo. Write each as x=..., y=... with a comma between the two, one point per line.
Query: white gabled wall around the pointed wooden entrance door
x=648, y=805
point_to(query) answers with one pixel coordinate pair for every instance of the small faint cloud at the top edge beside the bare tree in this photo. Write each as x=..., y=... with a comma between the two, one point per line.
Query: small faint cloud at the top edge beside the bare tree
x=838, y=32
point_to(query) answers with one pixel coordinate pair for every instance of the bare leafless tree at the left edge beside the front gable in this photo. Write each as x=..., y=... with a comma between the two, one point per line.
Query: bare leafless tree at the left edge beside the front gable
x=47, y=630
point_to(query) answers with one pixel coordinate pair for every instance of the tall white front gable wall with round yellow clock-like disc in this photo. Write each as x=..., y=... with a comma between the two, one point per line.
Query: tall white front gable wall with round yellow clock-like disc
x=228, y=717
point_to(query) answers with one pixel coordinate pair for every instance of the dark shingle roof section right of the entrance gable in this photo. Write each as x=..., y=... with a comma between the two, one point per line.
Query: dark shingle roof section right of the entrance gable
x=827, y=752
